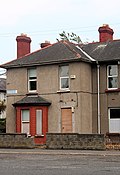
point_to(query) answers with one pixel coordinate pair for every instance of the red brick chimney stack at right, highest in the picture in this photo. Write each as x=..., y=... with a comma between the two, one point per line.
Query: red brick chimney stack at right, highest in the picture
x=105, y=33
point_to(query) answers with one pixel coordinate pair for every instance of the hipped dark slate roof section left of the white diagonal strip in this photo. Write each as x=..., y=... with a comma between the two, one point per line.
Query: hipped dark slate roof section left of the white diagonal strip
x=61, y=51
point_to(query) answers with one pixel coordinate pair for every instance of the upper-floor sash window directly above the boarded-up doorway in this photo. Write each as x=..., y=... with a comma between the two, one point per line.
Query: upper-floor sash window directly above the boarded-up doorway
x=64, y=77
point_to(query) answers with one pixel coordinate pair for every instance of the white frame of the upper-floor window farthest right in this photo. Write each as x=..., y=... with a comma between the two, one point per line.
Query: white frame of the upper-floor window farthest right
x=111, y=76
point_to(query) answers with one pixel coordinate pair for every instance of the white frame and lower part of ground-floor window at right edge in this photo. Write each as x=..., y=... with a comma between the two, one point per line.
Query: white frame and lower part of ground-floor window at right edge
x=112, y=121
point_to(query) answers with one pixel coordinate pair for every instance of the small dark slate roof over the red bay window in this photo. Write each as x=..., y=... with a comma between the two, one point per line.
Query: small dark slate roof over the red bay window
x=32, y=101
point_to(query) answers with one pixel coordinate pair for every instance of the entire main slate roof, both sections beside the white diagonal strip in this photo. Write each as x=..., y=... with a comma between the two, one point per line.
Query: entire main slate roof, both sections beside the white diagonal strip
x=64, y=51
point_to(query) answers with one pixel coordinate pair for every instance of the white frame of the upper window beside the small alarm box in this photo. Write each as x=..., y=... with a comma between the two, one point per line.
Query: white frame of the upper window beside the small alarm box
x=64, y=77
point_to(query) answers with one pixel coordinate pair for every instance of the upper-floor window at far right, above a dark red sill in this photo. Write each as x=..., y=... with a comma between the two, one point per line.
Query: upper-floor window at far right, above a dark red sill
x=112, y=76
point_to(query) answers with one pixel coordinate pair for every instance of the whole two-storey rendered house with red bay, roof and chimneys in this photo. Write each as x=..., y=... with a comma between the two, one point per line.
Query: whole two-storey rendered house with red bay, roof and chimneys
x=64, y=87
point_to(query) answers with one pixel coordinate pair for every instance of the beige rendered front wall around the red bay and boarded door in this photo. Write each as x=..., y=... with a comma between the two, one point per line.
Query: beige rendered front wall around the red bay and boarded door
x=79, y=98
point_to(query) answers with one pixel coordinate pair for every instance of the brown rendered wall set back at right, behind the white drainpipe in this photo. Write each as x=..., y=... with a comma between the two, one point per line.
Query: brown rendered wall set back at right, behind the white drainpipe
x=108, y=98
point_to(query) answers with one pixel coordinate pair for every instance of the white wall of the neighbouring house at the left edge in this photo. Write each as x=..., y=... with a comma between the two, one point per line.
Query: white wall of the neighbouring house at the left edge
x=2, y=98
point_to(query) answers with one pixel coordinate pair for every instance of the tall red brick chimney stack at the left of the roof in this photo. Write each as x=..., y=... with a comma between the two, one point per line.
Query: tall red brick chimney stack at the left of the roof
x=23, y=45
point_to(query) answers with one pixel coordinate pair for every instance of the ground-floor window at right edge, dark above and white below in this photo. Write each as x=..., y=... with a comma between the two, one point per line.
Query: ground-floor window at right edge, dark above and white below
x=114, y=120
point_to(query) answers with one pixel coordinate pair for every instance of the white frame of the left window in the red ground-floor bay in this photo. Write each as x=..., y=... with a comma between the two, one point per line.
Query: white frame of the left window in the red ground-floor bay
x=25, y=121
